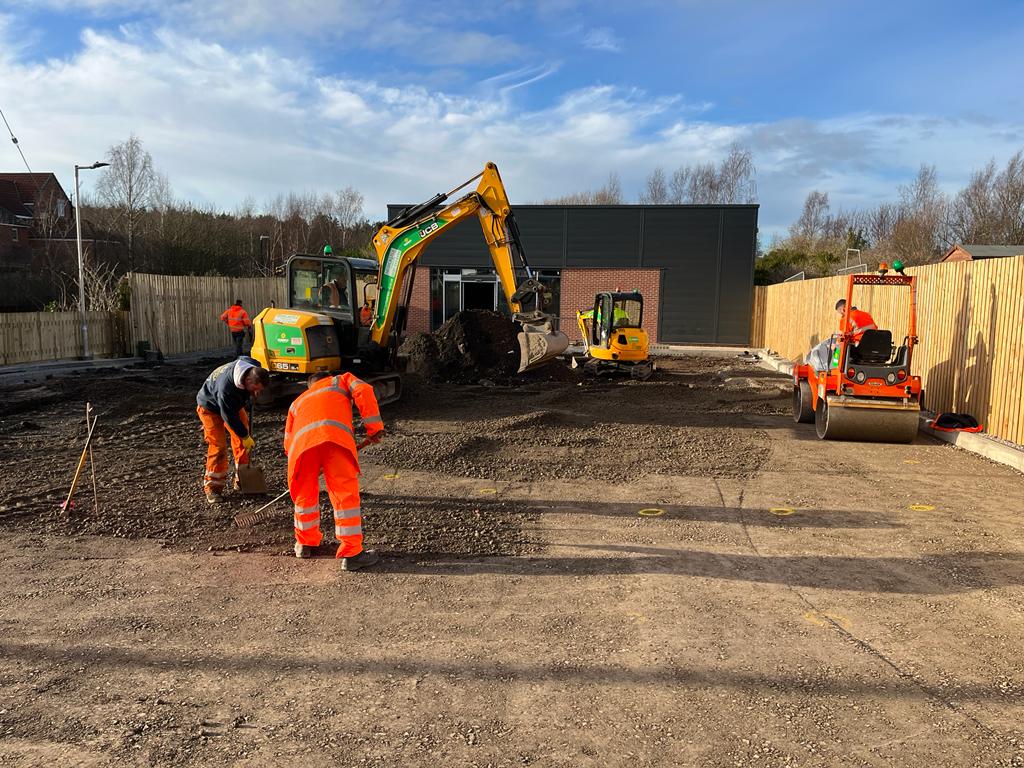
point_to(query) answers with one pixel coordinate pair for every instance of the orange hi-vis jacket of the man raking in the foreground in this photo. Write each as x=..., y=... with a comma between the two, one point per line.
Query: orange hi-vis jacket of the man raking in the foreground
x=324, y=414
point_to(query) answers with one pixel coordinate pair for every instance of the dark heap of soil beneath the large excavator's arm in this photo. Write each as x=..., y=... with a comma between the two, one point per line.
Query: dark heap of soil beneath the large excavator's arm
x=471, y=347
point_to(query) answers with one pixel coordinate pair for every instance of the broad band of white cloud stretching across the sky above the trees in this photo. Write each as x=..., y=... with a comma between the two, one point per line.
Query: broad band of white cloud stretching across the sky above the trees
x=227, y=123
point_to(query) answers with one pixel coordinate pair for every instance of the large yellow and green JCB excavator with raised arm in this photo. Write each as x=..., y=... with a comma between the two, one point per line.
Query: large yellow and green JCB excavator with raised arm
x=351, y=314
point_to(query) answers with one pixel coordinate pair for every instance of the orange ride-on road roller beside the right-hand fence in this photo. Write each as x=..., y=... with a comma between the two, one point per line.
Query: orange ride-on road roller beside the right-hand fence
x=869, y=394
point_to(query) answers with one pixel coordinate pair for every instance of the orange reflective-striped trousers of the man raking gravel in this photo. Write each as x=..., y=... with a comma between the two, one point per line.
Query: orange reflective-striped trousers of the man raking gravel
x=342, y=476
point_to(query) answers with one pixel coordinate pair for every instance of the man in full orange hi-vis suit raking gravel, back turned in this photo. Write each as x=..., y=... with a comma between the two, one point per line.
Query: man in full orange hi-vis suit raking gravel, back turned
x=320, y=440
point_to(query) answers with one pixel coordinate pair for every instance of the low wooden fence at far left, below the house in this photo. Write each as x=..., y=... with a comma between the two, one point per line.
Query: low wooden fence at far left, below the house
x=35, y=337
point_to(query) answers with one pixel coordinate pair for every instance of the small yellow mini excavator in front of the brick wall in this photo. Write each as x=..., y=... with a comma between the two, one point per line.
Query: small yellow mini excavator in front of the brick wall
x=614, y=338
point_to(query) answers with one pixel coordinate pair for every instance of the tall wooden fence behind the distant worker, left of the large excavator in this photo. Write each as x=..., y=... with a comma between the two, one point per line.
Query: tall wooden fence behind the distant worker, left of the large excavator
x=182, y=314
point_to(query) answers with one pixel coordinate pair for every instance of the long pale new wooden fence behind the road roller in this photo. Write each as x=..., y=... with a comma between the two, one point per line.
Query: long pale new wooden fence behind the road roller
x=970, y=324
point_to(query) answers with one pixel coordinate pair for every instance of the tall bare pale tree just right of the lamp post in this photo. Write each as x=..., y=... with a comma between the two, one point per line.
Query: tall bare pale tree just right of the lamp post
x=127, y=187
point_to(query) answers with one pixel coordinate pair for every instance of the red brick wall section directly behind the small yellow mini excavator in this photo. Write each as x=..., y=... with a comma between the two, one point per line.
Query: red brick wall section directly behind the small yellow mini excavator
x=580, y=287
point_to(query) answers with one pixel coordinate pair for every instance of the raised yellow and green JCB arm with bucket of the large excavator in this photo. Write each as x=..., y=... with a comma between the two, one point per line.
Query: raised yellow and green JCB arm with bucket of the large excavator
x=402, y=241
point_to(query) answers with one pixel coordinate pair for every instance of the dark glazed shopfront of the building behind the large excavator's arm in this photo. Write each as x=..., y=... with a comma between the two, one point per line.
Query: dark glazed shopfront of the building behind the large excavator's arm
x=455, y=290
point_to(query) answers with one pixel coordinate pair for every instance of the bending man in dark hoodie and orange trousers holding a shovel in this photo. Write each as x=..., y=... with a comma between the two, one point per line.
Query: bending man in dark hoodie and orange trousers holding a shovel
x=224, y=401
